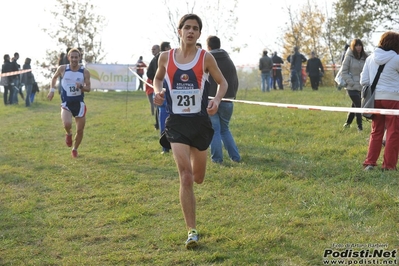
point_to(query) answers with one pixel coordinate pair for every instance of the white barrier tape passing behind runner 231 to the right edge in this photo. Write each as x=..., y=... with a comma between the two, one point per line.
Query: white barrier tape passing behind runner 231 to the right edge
x=307, y=107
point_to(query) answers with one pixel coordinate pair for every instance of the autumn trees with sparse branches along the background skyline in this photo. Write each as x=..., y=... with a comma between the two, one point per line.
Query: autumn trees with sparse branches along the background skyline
x=78, y=24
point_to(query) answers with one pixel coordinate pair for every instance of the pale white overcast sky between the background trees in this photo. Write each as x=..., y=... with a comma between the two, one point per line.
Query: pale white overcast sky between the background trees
x=134, y=27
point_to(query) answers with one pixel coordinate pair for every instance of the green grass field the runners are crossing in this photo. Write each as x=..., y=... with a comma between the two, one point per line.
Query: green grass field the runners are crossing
x=299, y=189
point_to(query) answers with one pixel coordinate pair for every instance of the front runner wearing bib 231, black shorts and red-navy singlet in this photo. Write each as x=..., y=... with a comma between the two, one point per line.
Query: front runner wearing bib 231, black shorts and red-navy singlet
x=188, y=128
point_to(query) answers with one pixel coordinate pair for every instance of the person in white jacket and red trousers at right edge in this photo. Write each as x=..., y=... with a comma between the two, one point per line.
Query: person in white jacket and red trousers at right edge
x=386, y=97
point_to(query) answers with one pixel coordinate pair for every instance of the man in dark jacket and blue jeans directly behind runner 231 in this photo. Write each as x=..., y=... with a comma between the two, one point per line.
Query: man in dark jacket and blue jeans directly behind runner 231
x=220, y=120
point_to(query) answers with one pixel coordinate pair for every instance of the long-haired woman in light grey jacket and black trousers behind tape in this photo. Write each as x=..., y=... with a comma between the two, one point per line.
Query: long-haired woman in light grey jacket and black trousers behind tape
x=352, y=66
